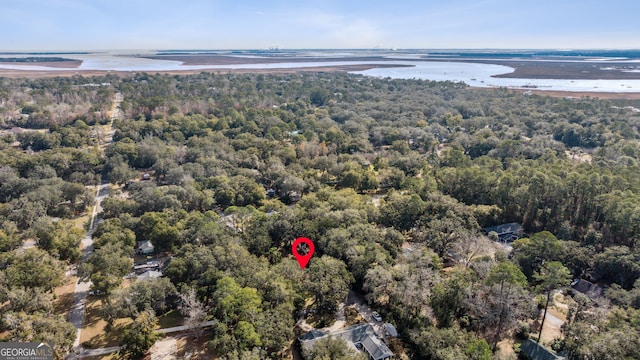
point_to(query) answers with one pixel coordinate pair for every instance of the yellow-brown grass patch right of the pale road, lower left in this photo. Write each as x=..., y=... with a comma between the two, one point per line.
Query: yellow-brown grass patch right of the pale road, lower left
x=93, y=333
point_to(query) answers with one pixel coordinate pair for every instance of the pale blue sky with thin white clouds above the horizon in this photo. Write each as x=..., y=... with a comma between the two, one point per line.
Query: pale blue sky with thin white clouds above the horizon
x=45, y=25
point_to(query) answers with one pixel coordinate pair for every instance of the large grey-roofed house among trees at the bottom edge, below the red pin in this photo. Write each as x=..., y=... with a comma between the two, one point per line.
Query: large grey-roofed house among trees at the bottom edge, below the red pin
x=360, y=337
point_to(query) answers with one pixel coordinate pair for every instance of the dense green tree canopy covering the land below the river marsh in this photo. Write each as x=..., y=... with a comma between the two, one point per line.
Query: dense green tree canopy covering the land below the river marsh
x=393, y=180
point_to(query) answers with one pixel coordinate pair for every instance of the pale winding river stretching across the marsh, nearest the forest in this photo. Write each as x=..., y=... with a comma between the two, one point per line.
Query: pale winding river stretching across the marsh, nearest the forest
x=479, y=75
